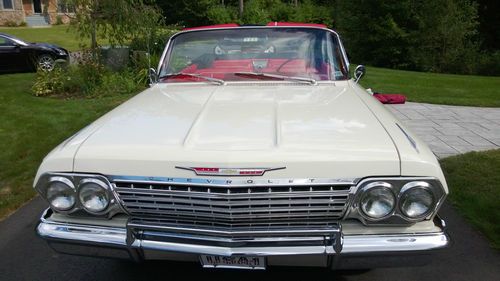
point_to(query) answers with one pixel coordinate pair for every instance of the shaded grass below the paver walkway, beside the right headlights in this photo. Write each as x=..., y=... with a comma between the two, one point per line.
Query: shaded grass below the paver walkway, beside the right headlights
x=474, y=182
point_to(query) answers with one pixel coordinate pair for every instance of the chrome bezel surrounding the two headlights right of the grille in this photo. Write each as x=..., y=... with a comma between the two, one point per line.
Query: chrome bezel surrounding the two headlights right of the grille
x=399, y=186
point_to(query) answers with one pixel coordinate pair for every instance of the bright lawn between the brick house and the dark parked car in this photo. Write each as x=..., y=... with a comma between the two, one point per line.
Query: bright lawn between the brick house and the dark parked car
x=60, y=35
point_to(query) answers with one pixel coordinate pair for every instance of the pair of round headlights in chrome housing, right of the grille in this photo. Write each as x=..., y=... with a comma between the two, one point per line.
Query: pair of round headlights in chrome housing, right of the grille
x=393, y=201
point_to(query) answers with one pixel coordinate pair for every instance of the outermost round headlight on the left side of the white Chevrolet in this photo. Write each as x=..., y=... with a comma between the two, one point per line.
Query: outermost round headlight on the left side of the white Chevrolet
x=61, y=194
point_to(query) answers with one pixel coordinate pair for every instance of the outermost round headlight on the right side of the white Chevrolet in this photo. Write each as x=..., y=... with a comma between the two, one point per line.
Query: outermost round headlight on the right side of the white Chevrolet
x=416, y=201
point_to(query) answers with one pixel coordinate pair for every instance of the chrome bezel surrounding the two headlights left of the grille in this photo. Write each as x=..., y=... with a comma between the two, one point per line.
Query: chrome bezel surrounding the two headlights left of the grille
x=77, y=181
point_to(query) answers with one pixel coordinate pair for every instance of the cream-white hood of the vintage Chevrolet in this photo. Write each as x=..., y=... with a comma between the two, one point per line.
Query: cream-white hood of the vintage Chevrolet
x=313, y=131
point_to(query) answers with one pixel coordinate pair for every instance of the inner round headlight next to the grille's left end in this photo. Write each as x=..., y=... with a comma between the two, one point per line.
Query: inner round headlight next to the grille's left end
x=93, y=195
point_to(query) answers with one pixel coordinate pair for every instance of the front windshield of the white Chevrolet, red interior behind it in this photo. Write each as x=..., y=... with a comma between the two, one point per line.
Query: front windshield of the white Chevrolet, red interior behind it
x=244, y=54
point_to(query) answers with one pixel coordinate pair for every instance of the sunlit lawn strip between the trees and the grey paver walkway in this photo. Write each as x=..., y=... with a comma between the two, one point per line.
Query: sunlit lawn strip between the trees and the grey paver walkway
x=435, y=88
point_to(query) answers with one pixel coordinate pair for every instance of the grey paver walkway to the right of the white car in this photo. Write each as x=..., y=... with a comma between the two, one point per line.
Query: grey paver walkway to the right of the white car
x=451, y=130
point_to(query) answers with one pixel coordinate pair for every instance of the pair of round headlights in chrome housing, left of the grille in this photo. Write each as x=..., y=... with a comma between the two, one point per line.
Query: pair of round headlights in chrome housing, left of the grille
x=67, y=193
